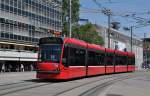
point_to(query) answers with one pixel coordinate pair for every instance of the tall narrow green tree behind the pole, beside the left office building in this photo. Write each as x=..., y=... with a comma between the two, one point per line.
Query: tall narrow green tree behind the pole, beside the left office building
x=65, y=13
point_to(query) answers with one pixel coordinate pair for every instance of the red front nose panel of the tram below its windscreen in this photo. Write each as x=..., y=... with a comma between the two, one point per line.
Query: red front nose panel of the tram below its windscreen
x=47, y=66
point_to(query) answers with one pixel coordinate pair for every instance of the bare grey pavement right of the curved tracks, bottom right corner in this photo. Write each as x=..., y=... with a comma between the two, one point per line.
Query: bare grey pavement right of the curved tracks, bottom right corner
x=138, y=86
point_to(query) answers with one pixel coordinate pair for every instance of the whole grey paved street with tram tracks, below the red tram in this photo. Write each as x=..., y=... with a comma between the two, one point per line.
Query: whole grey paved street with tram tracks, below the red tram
x=25, y=84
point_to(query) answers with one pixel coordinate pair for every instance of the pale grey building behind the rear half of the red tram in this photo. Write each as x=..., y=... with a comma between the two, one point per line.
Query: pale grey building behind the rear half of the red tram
x=120, y=41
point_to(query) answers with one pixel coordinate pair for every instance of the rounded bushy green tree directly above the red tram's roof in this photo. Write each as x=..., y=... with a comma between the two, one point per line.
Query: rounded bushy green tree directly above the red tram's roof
x=88, y=33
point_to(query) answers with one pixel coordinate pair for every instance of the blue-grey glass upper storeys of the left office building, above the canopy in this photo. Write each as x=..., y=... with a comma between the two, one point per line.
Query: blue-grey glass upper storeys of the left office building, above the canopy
x=28, y=20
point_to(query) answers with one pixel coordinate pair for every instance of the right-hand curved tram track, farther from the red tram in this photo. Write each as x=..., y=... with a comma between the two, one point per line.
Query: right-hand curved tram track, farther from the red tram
x=91, y=90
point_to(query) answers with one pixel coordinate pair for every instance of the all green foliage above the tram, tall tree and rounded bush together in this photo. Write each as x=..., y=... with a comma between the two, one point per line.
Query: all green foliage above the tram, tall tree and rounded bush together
x=86, y=32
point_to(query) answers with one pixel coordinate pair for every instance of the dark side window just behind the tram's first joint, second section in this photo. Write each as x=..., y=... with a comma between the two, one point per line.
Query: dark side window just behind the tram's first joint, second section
x=93, y=58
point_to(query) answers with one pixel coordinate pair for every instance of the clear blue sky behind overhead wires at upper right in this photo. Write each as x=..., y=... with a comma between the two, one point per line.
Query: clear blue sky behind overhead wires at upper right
x=125, y=12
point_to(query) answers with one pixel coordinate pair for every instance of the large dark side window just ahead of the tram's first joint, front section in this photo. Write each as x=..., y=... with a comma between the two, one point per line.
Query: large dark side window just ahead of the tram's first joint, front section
x=76, y=57
